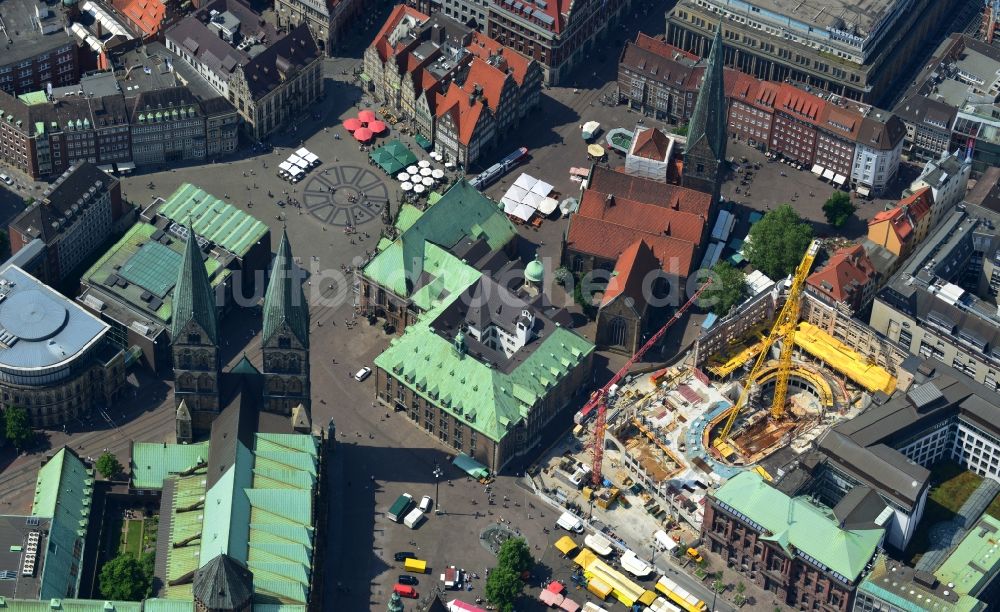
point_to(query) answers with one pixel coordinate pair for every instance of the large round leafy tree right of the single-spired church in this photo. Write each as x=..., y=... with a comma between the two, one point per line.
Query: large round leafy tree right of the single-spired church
x=778, y=241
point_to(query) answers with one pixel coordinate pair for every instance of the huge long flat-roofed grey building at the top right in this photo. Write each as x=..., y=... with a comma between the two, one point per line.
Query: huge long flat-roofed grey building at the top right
x=860, y=55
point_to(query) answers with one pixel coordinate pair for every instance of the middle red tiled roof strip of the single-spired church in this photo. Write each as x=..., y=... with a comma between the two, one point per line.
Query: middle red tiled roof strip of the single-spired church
x=647, y=218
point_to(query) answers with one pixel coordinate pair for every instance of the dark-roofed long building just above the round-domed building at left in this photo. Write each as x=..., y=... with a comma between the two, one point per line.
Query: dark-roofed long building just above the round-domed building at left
x=74, y=217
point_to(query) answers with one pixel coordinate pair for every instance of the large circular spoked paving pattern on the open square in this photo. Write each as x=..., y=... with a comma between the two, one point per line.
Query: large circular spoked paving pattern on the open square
x=336, y=195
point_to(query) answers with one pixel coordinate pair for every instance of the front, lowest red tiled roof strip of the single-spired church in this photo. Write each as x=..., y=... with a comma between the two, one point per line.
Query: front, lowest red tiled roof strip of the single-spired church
x=609, y=241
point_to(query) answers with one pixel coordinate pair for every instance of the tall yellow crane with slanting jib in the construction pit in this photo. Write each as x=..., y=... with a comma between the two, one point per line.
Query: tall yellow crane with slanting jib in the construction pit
x=783, y=329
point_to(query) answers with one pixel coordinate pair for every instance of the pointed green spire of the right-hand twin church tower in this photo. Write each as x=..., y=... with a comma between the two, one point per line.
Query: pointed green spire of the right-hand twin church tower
x=284, y=302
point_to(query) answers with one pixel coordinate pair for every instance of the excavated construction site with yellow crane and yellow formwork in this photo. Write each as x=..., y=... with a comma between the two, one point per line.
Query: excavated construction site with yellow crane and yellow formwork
x=671, y=435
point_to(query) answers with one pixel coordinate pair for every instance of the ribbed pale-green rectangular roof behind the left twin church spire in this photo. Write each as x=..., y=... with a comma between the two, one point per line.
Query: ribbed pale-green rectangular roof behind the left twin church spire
x=214, y=219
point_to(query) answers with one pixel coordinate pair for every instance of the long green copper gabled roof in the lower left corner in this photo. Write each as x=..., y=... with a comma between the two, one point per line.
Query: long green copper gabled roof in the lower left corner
x=63, y=491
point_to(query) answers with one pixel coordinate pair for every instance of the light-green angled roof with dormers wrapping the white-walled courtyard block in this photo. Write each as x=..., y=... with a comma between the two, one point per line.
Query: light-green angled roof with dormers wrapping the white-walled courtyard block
x=488, y=400
